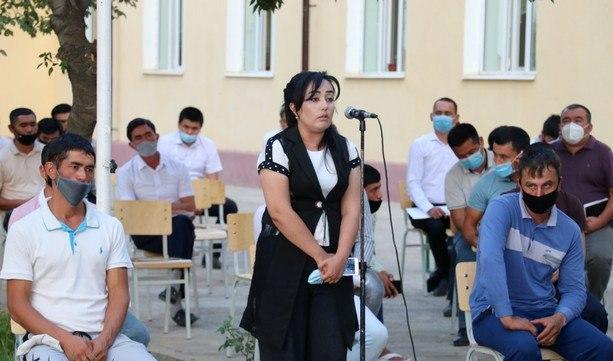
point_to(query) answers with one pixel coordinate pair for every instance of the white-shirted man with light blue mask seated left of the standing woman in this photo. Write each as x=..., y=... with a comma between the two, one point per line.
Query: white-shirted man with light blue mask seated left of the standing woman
x=199, y=154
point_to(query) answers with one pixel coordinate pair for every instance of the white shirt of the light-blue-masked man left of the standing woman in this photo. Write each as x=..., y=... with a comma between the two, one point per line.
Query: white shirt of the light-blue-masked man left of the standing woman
x=200, y=158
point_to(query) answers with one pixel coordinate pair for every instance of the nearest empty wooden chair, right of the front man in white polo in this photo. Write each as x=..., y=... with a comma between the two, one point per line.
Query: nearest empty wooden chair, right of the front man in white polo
x=155, y=218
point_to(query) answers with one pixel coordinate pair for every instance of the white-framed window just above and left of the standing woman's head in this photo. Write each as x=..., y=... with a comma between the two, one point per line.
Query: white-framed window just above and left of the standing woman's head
x=249, y=39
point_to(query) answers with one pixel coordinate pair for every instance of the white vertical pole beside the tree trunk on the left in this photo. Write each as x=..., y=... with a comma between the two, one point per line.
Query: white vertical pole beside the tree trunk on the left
x=104, y=86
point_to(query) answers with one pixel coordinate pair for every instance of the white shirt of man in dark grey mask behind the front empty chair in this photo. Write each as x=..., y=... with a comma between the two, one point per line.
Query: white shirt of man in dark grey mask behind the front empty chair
x=169, y=181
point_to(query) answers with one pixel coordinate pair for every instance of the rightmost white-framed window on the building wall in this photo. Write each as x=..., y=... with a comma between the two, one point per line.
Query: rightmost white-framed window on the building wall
x=502, y=39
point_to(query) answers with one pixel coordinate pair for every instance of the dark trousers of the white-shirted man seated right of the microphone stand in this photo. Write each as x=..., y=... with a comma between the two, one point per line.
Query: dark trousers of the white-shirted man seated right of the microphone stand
x=436, y=235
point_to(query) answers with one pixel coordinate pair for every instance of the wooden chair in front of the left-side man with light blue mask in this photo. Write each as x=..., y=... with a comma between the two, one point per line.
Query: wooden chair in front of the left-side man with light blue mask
x=209, y=192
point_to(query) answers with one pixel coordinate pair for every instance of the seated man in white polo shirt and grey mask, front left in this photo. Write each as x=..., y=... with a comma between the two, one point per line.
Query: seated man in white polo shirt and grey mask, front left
x=66, y=266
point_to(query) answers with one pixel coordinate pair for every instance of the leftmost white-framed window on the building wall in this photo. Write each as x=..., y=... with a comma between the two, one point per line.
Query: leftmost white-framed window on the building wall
x=163, y=35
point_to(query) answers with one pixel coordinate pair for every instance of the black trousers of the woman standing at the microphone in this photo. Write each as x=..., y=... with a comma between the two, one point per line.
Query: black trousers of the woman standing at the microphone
x=314, y=332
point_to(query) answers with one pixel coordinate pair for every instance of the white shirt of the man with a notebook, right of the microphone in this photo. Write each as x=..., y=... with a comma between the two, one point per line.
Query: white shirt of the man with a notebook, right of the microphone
x=429, y=161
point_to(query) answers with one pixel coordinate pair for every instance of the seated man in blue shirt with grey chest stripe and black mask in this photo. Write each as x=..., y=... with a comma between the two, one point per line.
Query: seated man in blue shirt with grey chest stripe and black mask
x=523, y=240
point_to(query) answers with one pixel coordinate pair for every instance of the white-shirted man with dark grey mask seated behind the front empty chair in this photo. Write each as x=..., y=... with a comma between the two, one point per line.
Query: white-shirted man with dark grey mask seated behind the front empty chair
x=151, y=175
